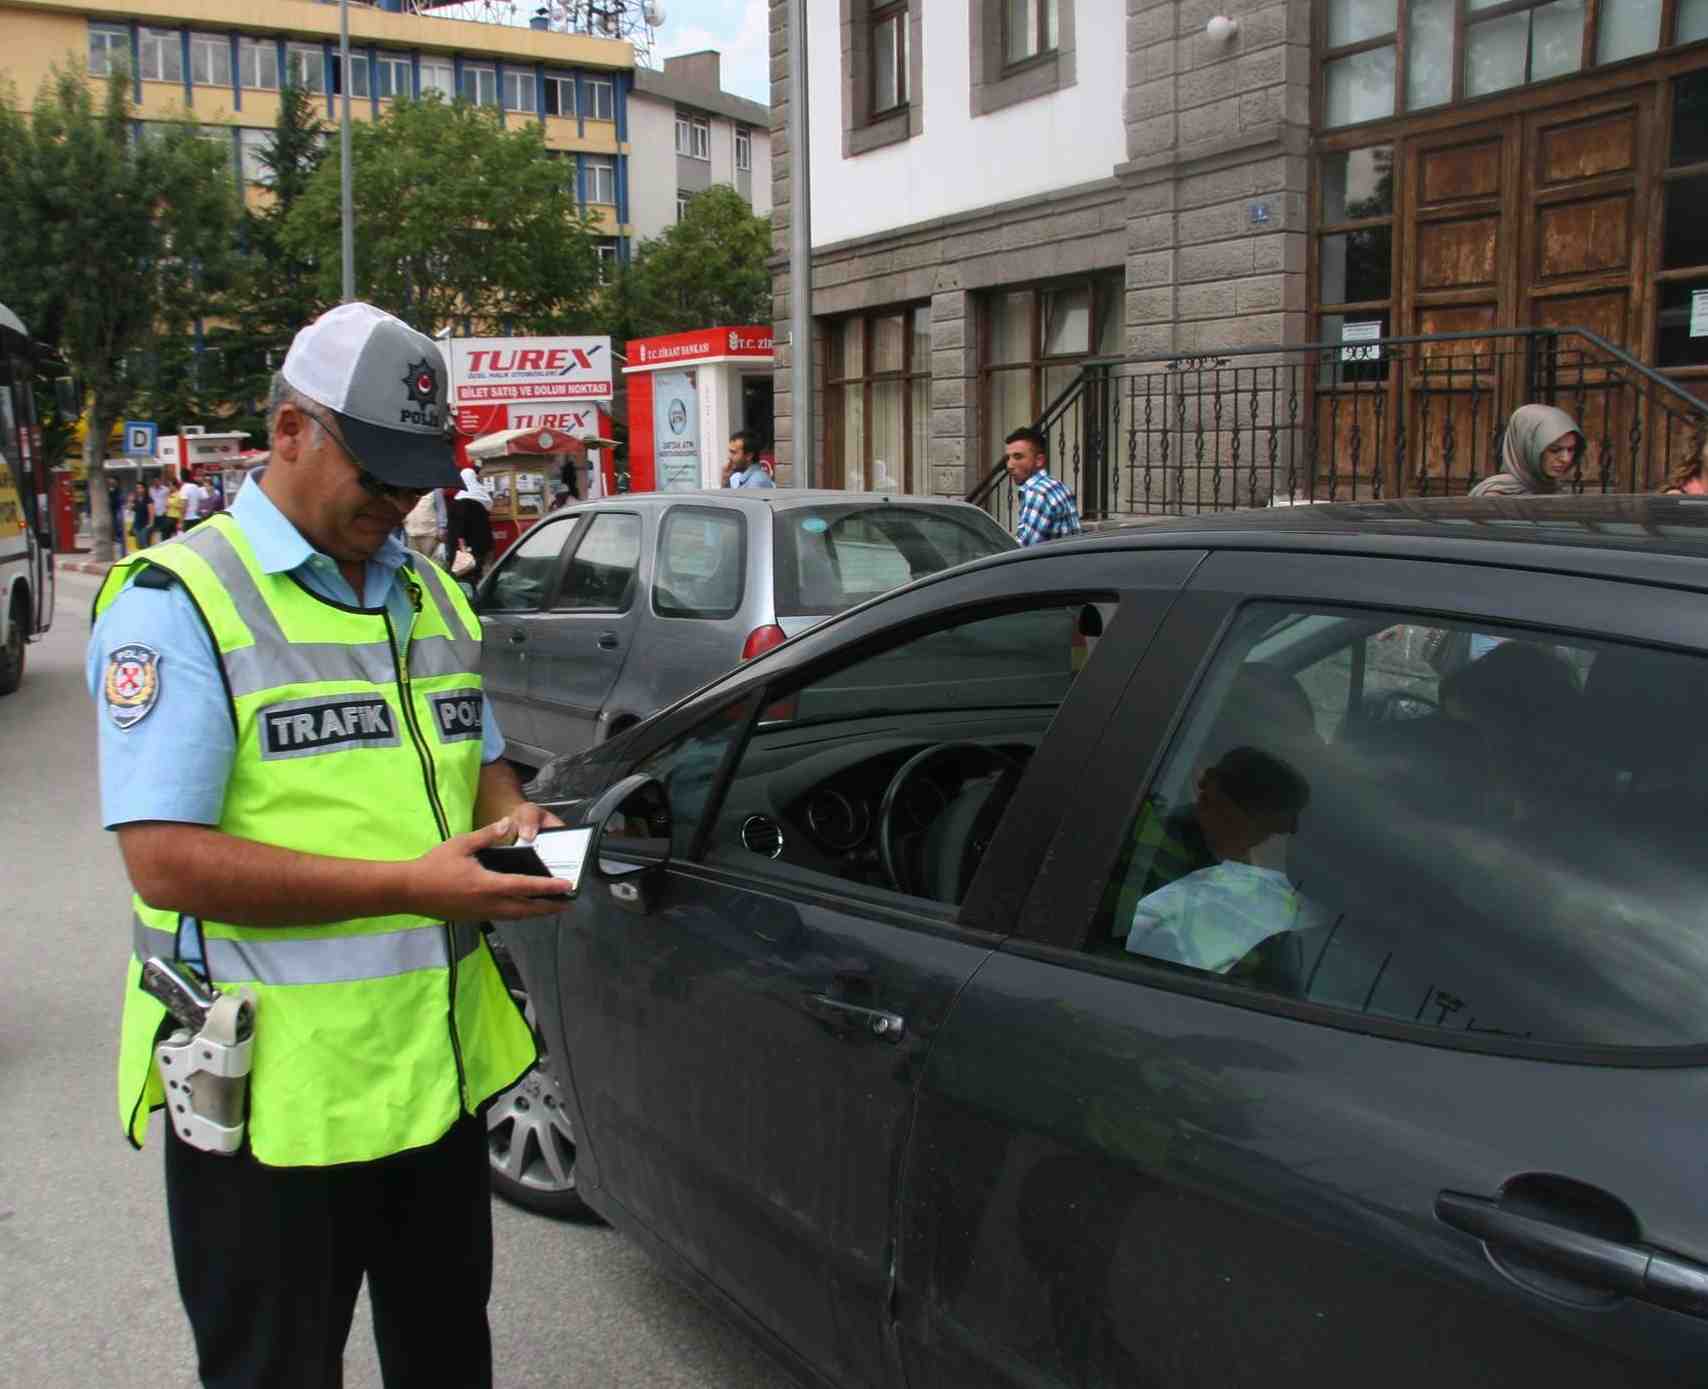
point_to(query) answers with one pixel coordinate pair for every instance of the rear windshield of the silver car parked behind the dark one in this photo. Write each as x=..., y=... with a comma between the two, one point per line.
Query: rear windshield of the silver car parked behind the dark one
x=831, y=558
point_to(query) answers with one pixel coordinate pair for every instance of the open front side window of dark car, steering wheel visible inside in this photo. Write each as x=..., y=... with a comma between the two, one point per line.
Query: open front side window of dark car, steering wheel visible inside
x=894, y=773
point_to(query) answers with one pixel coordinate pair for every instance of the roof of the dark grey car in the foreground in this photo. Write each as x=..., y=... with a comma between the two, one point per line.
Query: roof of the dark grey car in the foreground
x=1649, y=539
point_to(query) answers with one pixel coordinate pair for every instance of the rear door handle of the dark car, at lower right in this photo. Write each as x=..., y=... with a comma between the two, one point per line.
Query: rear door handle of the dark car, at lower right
x=1632, y=1270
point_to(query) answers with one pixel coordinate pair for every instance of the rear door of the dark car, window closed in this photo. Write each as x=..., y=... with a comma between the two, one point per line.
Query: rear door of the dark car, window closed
x=1357, y=1033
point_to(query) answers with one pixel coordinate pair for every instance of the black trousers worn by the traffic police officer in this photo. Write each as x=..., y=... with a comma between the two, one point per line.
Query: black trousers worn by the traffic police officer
x=271, y=1262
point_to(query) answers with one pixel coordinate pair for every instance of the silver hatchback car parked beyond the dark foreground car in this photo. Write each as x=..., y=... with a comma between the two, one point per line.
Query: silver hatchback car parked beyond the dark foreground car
x=605, y=612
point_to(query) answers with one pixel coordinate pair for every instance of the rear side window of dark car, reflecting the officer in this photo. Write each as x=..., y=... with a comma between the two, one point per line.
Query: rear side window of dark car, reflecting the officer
x=1475, y=828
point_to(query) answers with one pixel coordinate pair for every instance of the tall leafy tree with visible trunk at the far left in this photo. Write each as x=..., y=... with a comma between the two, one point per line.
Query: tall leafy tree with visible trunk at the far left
x=124, y=237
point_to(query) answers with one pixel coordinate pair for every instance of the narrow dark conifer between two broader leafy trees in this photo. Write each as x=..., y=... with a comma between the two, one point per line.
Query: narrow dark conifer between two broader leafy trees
x=279, y=288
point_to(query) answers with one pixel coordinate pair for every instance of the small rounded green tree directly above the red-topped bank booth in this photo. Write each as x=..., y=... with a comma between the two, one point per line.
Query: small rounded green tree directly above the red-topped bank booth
x=706, y=271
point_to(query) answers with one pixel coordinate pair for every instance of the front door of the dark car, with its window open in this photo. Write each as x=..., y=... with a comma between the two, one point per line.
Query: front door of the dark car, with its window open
x=746, y=1057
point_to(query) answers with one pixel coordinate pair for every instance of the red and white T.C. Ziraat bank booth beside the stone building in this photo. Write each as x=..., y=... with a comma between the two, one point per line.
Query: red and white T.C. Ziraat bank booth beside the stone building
x=687, y=396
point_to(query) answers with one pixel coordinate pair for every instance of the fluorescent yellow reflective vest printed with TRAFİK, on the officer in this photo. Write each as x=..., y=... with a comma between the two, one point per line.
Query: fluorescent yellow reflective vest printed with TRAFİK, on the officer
x=371, y=1036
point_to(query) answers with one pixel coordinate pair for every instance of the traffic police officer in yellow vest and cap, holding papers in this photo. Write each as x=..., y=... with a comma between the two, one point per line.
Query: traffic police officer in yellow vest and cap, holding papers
x=296, y=753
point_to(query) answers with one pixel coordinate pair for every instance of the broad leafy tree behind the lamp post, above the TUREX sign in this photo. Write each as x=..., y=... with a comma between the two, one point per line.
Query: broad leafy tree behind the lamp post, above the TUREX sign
x=457, y=218
